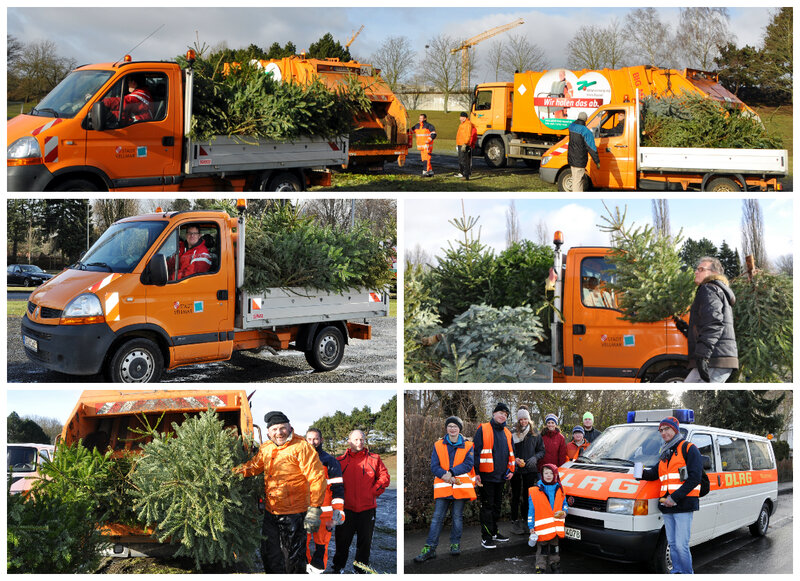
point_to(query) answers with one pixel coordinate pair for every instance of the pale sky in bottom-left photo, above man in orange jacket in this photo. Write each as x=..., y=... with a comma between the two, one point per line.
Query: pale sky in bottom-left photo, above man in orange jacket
x=302, y=406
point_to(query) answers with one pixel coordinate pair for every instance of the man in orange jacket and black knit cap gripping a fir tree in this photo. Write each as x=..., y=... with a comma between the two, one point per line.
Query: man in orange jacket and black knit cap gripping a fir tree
x=294, y=487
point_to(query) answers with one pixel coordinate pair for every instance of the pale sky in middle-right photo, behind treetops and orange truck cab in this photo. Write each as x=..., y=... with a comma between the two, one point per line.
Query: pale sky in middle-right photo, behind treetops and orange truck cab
x=426, y=221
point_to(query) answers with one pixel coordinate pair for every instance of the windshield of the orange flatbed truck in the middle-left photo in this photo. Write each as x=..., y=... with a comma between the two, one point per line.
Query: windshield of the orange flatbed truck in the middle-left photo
x=121, y=247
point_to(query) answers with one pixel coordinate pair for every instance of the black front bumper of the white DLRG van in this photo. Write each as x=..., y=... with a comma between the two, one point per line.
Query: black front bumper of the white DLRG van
x=616, y=545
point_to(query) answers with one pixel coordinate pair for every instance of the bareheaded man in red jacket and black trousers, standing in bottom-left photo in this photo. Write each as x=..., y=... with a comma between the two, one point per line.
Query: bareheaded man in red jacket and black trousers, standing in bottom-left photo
x=365, y=479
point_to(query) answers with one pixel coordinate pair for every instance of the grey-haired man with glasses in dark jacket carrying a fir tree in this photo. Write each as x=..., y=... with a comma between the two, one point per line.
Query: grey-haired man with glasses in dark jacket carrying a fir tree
x=713, y=355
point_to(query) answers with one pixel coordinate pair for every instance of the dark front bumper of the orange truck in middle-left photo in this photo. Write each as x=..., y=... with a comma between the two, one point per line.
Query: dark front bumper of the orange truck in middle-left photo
x=70, y=349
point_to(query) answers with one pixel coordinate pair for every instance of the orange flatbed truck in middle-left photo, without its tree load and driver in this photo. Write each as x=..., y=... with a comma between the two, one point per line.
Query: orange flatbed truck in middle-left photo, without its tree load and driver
x=126, y=310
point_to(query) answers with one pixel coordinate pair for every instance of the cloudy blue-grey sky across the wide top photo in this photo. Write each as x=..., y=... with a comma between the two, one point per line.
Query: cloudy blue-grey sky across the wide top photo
x=85, y=33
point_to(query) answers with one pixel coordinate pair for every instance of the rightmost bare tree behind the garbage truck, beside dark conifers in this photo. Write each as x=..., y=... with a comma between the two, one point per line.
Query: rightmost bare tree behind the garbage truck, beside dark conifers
x=700, y=32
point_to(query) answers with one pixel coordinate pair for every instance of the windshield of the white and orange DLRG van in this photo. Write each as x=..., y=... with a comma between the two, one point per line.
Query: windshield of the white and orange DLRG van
x=625, y=445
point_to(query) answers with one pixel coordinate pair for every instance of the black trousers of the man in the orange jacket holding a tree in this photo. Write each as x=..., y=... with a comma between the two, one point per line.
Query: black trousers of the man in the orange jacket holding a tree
x=283, y=532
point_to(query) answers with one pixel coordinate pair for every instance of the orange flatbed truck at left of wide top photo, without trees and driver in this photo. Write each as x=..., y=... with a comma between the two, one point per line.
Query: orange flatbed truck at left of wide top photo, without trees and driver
x=74, y=141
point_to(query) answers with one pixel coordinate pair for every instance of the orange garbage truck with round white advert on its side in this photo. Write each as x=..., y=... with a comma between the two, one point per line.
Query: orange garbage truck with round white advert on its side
x=523, y=119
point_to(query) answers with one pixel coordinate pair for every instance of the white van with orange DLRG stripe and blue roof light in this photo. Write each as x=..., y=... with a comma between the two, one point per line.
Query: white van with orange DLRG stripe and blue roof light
x=614, y=516
